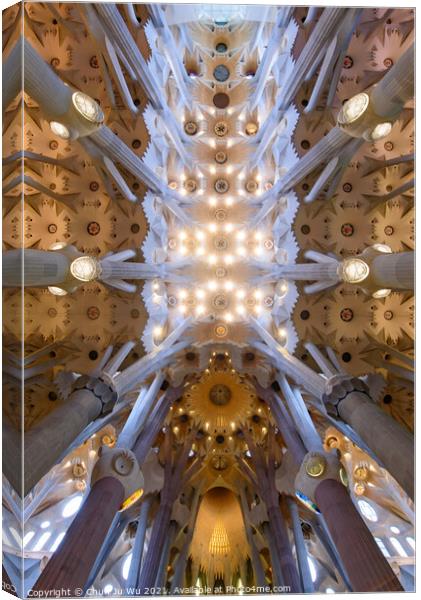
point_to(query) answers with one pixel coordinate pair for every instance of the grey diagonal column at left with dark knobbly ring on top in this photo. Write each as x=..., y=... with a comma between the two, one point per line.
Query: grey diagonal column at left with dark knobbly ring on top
x=46, y=441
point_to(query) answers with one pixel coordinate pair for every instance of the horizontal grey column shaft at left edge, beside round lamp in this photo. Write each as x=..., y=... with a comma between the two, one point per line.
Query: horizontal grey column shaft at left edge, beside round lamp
x=34, y=268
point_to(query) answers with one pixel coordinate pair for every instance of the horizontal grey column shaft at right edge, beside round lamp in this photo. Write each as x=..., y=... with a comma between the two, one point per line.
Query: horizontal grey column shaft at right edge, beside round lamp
x=393, y=271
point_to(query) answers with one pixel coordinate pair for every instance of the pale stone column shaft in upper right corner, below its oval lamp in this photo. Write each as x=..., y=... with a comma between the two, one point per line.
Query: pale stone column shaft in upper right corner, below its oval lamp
x=396, y=87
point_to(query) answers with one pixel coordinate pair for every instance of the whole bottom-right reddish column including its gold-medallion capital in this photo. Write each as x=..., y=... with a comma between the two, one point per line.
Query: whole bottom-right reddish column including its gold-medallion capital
x=319, y=479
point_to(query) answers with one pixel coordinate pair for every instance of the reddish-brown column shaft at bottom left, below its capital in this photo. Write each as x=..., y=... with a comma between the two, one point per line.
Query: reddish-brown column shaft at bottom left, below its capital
x=71, y=564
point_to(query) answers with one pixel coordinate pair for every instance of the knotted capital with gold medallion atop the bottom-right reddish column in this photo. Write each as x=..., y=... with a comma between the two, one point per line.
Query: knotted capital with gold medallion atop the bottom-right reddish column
x=315, y=468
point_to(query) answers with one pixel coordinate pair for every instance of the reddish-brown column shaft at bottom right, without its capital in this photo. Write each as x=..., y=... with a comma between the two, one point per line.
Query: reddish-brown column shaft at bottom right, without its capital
x=367, y=568
